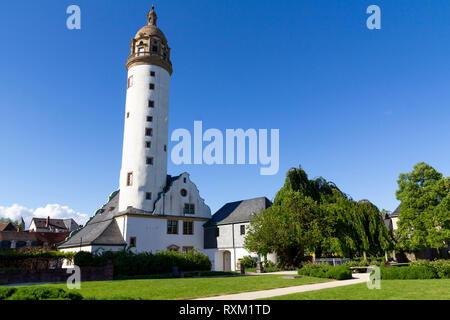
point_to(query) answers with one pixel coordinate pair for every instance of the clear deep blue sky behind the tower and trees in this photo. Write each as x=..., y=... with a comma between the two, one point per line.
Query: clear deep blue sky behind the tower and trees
x=353, y=105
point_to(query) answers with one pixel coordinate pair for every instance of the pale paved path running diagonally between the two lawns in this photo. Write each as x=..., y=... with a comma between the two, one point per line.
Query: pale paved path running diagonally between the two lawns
x=357, y=278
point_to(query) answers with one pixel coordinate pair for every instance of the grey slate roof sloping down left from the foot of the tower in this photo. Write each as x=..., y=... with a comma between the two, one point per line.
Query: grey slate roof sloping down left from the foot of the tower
x=101, y=229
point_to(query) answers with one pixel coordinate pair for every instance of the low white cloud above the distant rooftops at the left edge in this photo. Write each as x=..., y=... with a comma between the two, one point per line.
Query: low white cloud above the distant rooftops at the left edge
x=57, y=211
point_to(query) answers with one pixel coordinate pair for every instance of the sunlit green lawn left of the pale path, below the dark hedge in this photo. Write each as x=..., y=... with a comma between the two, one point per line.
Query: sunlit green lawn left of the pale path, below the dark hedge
x=185, y=288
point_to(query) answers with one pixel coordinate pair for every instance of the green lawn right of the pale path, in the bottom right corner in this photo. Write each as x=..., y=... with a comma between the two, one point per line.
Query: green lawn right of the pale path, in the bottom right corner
x=435, y=289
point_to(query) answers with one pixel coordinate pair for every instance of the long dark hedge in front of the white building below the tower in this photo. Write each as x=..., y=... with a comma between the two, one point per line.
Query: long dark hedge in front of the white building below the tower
x=127, y=263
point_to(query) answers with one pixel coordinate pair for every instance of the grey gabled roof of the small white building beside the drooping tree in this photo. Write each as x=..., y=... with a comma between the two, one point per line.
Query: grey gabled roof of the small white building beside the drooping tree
x=238, y=211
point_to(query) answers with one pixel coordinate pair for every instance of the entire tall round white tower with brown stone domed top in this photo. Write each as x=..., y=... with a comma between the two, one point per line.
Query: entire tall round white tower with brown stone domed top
x=144, y=158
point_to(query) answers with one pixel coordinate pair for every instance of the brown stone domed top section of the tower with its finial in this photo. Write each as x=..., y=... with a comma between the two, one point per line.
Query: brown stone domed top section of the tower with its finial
x=149, y=46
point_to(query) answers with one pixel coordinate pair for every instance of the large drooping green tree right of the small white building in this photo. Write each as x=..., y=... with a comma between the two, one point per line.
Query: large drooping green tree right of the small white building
x=315, y=216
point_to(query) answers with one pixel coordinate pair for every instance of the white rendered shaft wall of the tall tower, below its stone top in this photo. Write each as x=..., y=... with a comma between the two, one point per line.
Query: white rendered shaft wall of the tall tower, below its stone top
x=146, y=178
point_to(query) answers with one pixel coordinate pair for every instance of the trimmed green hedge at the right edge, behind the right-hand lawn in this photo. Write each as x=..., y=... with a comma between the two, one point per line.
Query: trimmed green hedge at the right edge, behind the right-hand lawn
x=422, y=269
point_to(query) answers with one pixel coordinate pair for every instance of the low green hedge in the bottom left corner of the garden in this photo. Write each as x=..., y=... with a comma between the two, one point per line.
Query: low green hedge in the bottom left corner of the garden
x=38, y=293
